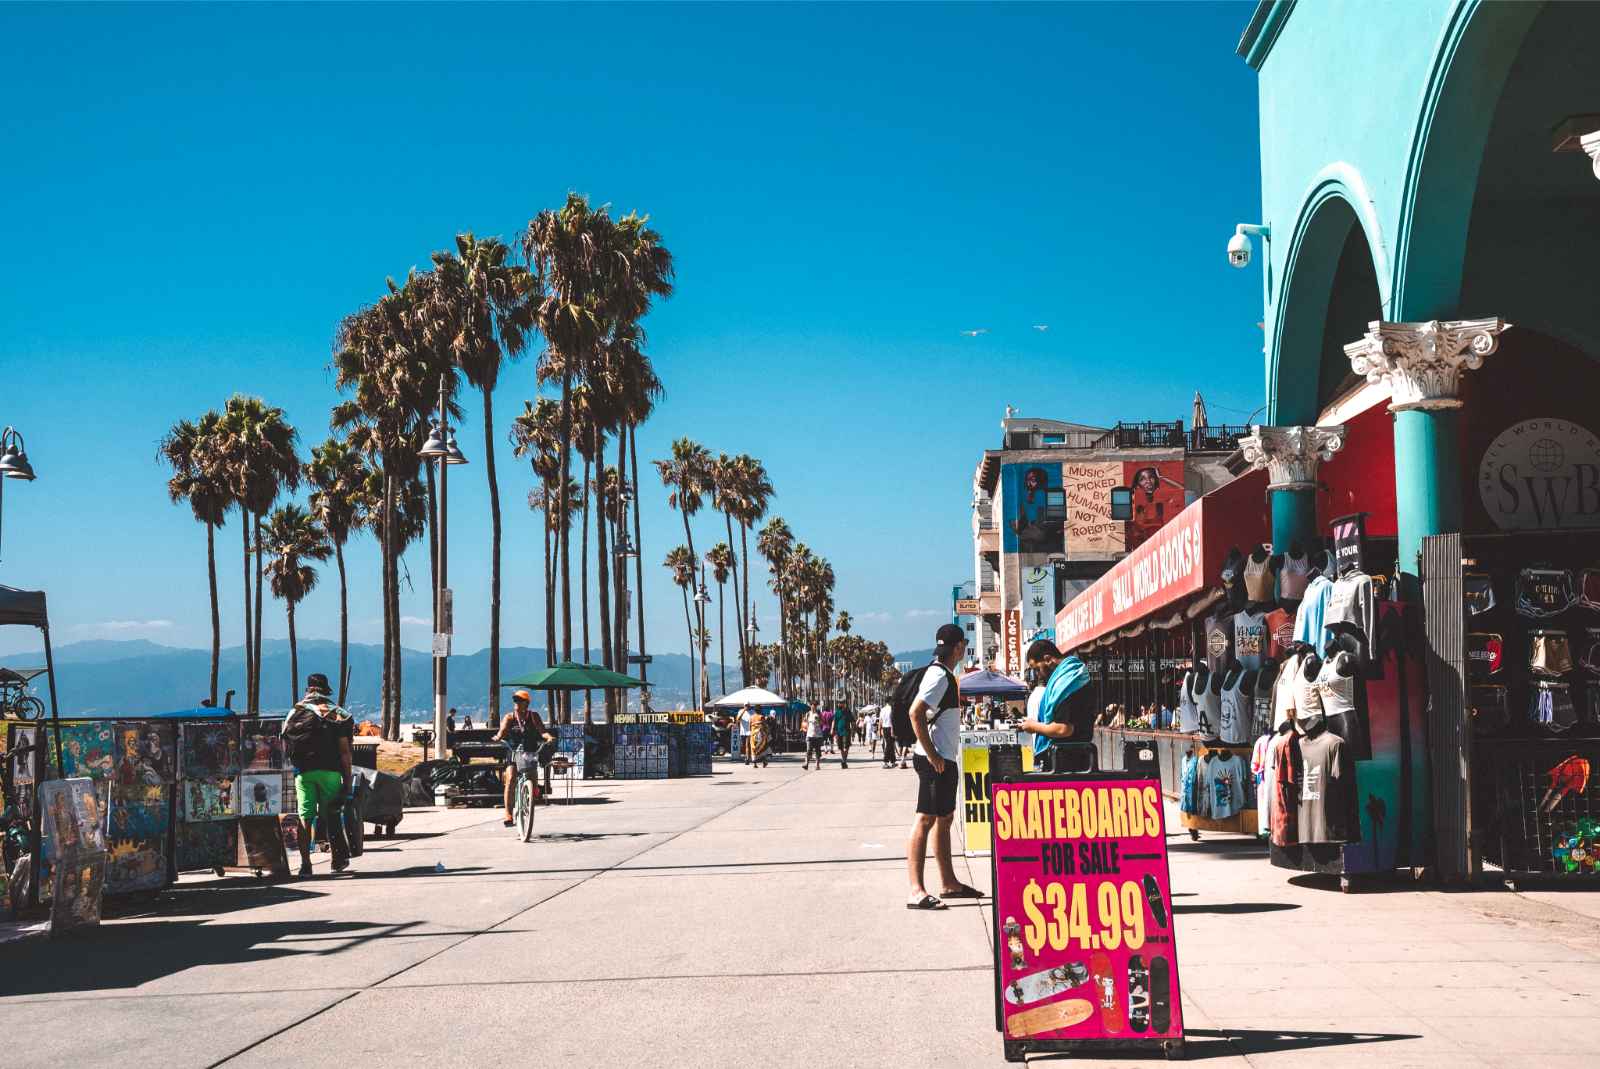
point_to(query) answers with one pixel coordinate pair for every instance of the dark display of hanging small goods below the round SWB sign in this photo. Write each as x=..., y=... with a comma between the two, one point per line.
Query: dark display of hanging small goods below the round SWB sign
x=1532, y=620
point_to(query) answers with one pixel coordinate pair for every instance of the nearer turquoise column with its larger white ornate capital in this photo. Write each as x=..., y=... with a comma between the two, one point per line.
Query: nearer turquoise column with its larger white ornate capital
x=1423, y=366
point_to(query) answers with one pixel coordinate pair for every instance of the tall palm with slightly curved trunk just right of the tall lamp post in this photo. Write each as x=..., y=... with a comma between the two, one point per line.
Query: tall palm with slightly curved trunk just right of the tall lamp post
x=481, y=314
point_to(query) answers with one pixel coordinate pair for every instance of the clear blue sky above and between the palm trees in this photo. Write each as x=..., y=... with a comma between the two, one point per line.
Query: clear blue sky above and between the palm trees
x=196, y=196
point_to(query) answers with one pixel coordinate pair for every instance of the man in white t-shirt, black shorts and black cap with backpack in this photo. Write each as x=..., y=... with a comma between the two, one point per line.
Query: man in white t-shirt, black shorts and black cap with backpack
x=937, y=723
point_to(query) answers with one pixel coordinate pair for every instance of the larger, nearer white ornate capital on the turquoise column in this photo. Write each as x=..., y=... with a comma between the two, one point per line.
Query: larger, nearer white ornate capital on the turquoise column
x=1423, y=362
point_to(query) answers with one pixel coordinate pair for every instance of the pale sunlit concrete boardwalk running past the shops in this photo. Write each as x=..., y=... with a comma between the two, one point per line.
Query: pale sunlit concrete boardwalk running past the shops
x=756, y=918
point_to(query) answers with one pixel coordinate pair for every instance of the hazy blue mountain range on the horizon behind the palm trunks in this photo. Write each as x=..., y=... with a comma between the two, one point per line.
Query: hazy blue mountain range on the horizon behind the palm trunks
x=138, y=676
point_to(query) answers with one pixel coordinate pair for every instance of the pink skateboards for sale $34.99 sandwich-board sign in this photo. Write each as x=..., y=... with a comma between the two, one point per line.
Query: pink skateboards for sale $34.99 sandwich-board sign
x=1084, y=921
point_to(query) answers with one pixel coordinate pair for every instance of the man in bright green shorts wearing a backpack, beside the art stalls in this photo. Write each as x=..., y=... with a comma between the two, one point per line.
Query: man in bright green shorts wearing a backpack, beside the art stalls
x=318, y=742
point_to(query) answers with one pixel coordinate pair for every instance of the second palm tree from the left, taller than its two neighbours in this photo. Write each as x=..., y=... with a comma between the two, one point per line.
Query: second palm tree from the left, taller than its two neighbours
x=260, y=462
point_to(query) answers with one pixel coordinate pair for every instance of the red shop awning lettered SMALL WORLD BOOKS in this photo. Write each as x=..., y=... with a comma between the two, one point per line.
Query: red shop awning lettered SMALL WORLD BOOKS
x=1180, y=561
